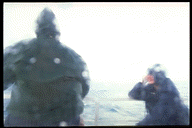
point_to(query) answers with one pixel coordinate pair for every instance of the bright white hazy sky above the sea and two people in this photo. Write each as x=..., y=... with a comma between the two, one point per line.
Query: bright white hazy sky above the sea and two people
x=119, y=41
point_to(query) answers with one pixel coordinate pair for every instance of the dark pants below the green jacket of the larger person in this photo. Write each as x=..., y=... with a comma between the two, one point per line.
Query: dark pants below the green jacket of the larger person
x=17, y=121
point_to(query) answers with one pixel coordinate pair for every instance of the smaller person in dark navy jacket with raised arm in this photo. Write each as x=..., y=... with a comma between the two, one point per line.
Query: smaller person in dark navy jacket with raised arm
x=162, y=99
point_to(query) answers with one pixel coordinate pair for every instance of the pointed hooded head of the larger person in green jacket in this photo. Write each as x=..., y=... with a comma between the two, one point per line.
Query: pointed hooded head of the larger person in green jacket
x=45, y=25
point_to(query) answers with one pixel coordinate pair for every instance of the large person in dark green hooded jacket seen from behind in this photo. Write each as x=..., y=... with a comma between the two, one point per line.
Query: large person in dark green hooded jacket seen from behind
x=49, y=79
